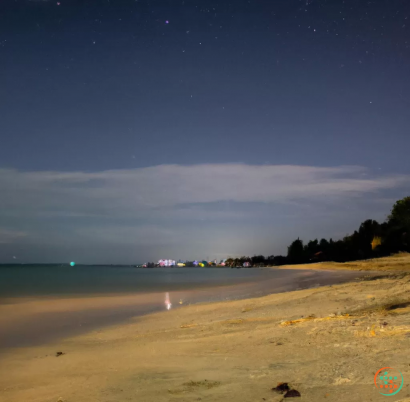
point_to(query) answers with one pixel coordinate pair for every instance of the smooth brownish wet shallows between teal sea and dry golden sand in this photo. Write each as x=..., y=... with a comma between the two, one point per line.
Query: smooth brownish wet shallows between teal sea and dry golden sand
x=31, y=321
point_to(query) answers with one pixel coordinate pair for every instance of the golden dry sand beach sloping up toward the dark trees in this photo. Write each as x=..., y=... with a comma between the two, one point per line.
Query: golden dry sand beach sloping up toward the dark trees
x=326, y=342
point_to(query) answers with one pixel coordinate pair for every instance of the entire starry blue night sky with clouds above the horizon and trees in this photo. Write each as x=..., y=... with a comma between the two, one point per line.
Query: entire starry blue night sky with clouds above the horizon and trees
x=134, y=130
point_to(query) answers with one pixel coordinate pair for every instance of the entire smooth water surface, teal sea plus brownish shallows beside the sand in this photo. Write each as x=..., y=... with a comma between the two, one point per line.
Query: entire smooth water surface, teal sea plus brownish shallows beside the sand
x=72, y=300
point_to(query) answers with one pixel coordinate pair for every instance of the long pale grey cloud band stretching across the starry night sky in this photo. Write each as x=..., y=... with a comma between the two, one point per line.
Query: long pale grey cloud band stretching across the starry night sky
x=114, y=193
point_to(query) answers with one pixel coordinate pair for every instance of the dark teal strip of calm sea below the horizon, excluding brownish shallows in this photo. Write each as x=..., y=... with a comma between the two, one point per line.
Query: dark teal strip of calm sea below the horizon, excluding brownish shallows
x=57, y=280
